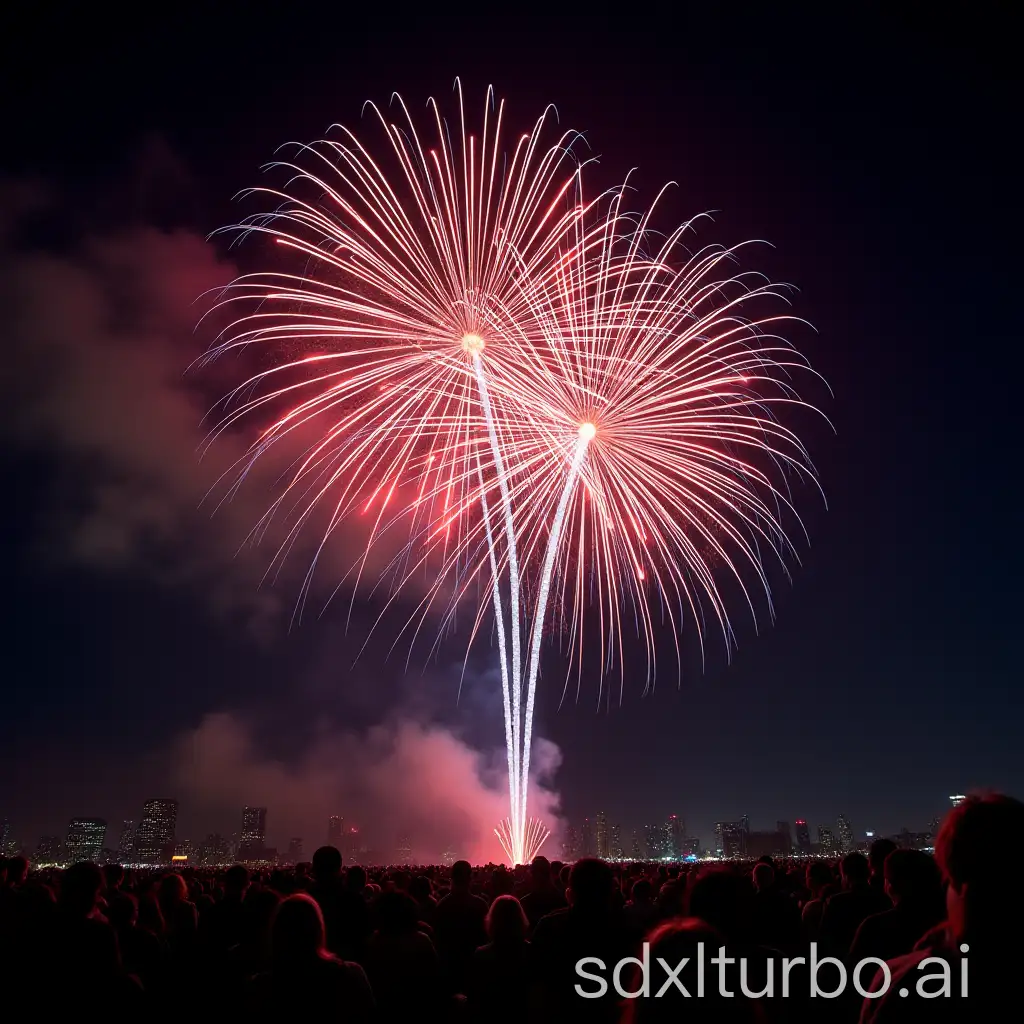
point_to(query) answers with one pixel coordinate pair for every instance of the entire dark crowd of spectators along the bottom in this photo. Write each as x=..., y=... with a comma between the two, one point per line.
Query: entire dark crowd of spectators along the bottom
x=489, y=945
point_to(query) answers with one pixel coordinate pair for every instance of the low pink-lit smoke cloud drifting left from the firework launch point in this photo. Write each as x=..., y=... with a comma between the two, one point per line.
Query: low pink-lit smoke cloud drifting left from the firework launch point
x=400, y=780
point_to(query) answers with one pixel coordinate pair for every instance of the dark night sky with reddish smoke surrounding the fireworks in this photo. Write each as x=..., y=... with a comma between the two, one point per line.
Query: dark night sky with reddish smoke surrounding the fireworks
x=875, y=153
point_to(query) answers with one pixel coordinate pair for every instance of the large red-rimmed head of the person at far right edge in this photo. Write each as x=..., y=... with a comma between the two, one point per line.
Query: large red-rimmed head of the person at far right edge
x=983, y=901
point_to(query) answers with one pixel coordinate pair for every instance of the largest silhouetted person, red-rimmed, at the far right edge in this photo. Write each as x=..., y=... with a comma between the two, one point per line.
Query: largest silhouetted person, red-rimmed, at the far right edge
x=986, y=908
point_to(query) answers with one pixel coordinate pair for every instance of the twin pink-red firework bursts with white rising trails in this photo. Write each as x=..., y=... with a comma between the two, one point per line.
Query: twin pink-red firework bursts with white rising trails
x=521, y=383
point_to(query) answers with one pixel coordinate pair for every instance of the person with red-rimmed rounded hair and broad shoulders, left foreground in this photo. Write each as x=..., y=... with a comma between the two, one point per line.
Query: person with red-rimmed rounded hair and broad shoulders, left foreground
x=306, y=982
